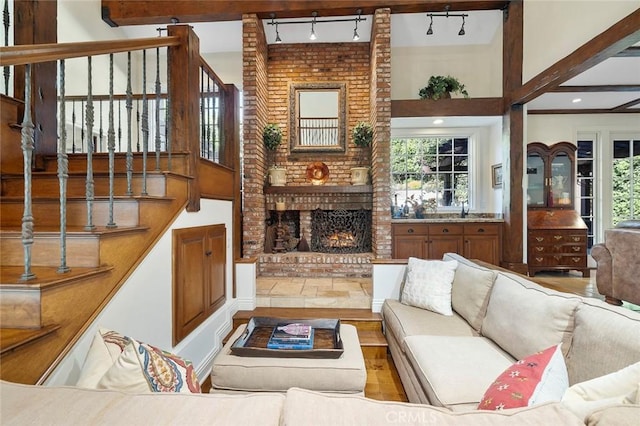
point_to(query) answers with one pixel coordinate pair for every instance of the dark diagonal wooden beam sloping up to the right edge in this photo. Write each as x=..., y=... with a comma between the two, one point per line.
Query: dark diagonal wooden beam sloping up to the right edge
x=617, y=38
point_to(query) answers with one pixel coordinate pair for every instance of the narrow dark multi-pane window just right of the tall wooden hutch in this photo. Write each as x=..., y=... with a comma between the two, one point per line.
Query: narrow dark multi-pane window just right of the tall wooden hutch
x=587, y=185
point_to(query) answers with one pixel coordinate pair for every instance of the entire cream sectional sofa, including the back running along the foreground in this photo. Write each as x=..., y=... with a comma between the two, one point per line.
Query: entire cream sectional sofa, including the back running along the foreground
x=445, y=363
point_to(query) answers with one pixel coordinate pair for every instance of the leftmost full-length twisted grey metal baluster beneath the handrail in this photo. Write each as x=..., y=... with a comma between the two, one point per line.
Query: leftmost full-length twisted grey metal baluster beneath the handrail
x=27, y=151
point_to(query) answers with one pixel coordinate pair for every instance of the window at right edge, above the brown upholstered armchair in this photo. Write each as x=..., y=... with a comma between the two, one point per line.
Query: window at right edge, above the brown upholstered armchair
x=625, y=176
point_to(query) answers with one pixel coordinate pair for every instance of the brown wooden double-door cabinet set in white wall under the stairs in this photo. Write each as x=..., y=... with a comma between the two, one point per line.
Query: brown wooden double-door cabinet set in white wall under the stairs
x=199, y=277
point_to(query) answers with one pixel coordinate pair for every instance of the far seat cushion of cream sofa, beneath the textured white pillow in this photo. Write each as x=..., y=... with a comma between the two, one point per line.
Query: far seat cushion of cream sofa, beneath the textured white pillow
x=403, y=321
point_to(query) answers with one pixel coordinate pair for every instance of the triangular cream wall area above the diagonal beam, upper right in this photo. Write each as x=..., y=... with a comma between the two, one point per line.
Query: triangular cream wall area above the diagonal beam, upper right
x=553, y=29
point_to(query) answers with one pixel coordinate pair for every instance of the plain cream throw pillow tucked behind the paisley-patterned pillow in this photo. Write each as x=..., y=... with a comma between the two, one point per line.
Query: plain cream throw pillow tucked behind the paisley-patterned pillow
x=106, y=347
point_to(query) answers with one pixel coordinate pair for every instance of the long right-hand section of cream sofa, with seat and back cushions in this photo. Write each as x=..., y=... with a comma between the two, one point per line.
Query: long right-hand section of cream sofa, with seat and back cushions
x=498, y=318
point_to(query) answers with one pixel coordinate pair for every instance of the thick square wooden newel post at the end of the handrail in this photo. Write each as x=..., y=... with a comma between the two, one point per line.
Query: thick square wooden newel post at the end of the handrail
x=184, y=91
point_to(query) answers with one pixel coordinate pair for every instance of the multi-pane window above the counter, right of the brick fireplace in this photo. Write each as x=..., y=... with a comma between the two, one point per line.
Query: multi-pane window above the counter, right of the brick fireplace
x=429, y=173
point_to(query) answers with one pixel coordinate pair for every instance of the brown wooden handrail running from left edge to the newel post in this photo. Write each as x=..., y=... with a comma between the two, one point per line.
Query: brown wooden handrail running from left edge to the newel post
x=37, y=53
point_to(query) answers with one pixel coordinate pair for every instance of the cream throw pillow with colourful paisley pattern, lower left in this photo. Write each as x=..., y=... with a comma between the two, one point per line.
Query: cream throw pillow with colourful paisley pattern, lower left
x=144, y=368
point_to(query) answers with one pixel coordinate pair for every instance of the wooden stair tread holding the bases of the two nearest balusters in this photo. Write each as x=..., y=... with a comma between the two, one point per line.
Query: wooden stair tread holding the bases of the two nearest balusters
x=46, y=276
